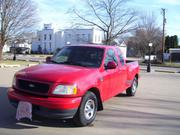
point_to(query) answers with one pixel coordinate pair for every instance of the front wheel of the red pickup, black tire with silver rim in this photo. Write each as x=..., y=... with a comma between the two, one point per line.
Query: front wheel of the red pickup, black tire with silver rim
x=87, y=110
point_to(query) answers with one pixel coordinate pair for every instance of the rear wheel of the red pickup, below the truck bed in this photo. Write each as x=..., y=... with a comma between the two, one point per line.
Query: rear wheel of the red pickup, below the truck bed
x=132, y=90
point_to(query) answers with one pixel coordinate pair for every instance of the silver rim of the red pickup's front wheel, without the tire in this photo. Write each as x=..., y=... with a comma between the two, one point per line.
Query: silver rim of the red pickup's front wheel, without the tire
x=89, y=109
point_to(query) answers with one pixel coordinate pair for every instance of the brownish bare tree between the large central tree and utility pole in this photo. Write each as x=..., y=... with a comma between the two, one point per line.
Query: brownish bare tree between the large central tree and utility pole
x=147, y=31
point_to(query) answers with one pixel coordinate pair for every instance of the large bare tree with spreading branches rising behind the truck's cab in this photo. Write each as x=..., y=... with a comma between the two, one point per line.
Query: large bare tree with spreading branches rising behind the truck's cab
x=111, y=16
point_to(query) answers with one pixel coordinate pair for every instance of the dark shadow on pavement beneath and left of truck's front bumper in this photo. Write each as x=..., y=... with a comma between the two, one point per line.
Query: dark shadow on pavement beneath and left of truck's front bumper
x=8, y=114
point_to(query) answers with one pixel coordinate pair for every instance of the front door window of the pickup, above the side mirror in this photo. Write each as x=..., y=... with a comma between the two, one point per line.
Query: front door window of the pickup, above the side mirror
x=110, y=56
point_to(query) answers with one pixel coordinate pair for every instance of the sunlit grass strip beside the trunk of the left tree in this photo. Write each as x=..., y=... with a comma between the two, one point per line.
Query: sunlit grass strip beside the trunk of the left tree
x=17, y=62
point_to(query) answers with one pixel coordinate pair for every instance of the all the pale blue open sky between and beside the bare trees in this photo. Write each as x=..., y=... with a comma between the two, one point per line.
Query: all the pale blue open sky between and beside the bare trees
x=55, y=12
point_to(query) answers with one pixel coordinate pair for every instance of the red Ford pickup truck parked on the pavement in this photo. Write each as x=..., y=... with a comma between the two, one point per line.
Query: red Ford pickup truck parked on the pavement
x=75, y=82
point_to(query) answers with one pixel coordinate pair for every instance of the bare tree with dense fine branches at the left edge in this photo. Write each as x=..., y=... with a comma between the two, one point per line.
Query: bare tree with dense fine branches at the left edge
x=16, y=17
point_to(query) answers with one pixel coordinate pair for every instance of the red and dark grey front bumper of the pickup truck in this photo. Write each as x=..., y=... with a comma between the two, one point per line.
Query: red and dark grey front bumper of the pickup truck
x=47, y=106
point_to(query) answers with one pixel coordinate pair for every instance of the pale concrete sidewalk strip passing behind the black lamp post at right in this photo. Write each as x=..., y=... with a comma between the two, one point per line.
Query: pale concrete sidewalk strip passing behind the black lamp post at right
x=161, y=69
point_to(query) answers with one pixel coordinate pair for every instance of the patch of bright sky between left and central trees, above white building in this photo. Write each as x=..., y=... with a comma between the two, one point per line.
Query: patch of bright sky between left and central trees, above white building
x=54, y=12
